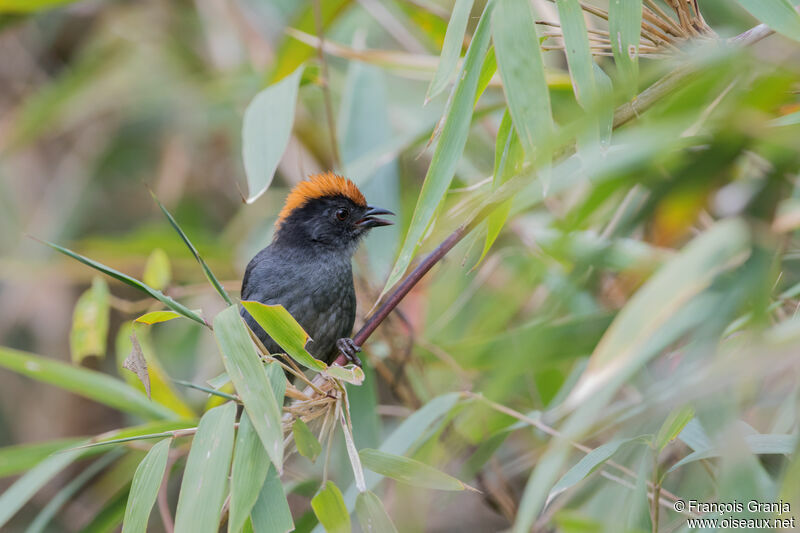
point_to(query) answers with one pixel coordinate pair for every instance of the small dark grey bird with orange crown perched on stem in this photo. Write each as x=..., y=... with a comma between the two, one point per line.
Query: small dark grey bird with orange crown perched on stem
x=307, y=267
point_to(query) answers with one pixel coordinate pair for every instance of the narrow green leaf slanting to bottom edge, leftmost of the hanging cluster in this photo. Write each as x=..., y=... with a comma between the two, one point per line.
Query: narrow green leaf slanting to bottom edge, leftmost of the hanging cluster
x=146, y=482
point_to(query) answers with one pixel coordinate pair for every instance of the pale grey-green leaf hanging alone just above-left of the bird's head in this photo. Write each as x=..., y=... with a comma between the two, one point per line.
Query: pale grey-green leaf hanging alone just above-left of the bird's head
x=266, y=130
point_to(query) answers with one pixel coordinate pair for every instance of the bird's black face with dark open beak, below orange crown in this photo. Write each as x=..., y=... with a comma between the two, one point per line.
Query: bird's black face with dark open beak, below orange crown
x=333, y=221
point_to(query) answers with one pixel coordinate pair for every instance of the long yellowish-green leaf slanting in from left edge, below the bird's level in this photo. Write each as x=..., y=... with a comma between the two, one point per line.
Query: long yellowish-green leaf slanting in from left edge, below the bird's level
x=87, y=383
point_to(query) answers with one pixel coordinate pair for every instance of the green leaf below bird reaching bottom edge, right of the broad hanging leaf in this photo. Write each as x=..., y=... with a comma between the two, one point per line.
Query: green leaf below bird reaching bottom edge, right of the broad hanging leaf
x=249, y=471
